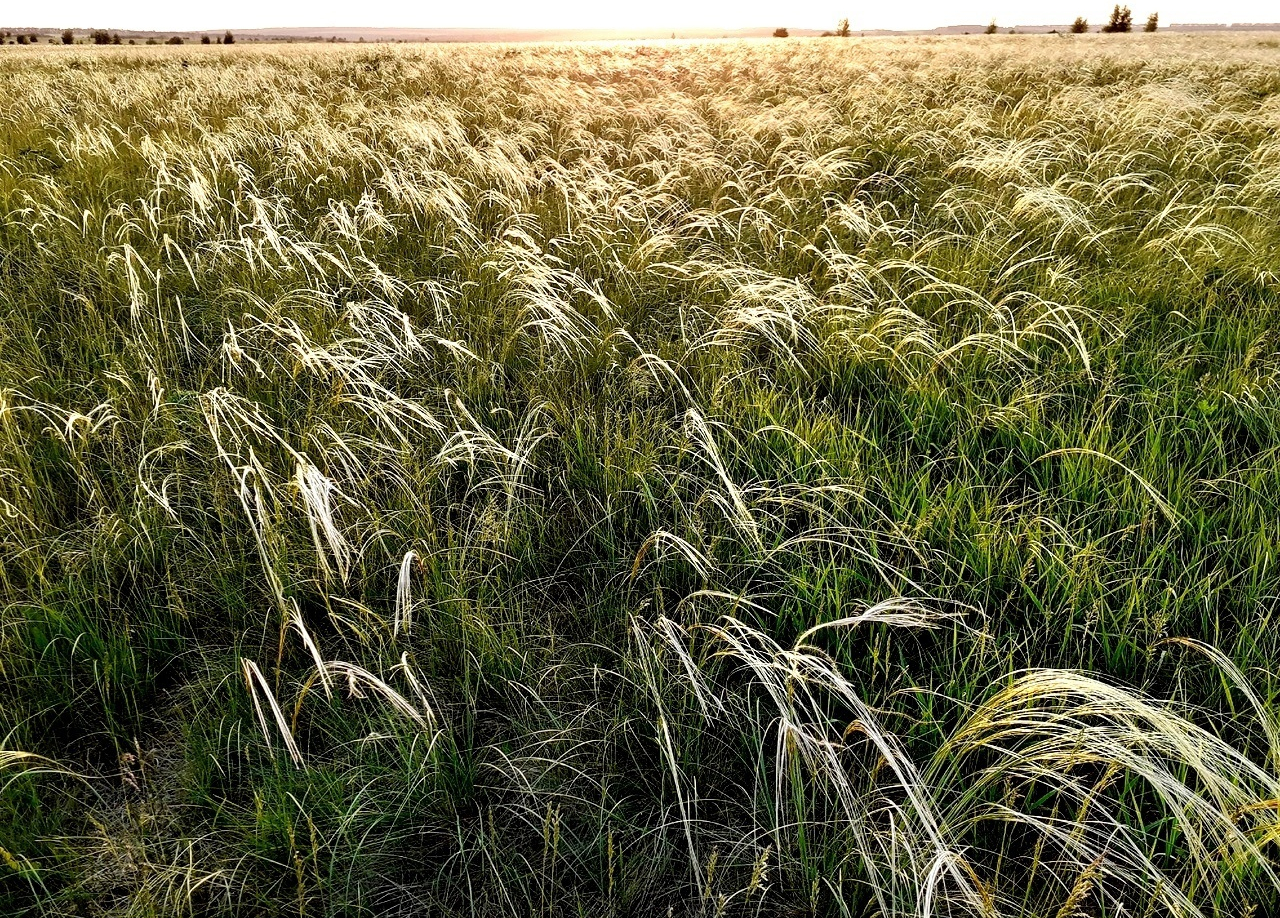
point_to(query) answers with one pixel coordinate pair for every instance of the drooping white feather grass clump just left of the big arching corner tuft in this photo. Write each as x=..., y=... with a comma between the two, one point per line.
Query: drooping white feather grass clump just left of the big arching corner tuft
x=801, y=686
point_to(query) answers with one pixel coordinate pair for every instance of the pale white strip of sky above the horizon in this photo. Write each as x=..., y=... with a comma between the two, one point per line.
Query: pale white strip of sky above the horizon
x=166, y=15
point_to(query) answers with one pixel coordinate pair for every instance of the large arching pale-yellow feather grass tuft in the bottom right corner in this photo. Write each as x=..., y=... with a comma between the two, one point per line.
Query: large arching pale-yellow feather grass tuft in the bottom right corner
x=1057, y=729
